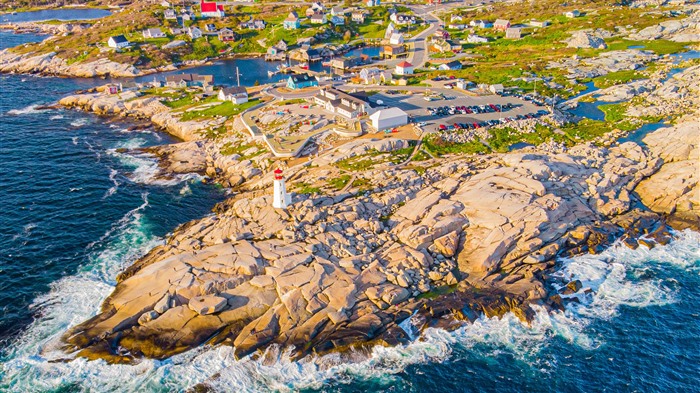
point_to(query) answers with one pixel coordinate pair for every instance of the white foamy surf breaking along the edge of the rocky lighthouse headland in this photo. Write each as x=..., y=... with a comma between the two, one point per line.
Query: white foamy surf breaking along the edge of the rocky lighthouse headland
x=616, y=277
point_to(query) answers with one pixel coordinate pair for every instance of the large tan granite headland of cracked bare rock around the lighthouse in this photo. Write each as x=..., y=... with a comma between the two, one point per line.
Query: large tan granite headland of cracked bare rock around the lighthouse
x=470, y=236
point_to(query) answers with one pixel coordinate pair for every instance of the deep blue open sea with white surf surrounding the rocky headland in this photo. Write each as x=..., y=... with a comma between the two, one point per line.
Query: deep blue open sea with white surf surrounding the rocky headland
x=75, y=212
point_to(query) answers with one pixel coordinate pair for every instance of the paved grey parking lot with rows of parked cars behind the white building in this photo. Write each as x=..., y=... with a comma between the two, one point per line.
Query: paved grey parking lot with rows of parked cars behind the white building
x=419, y=109
